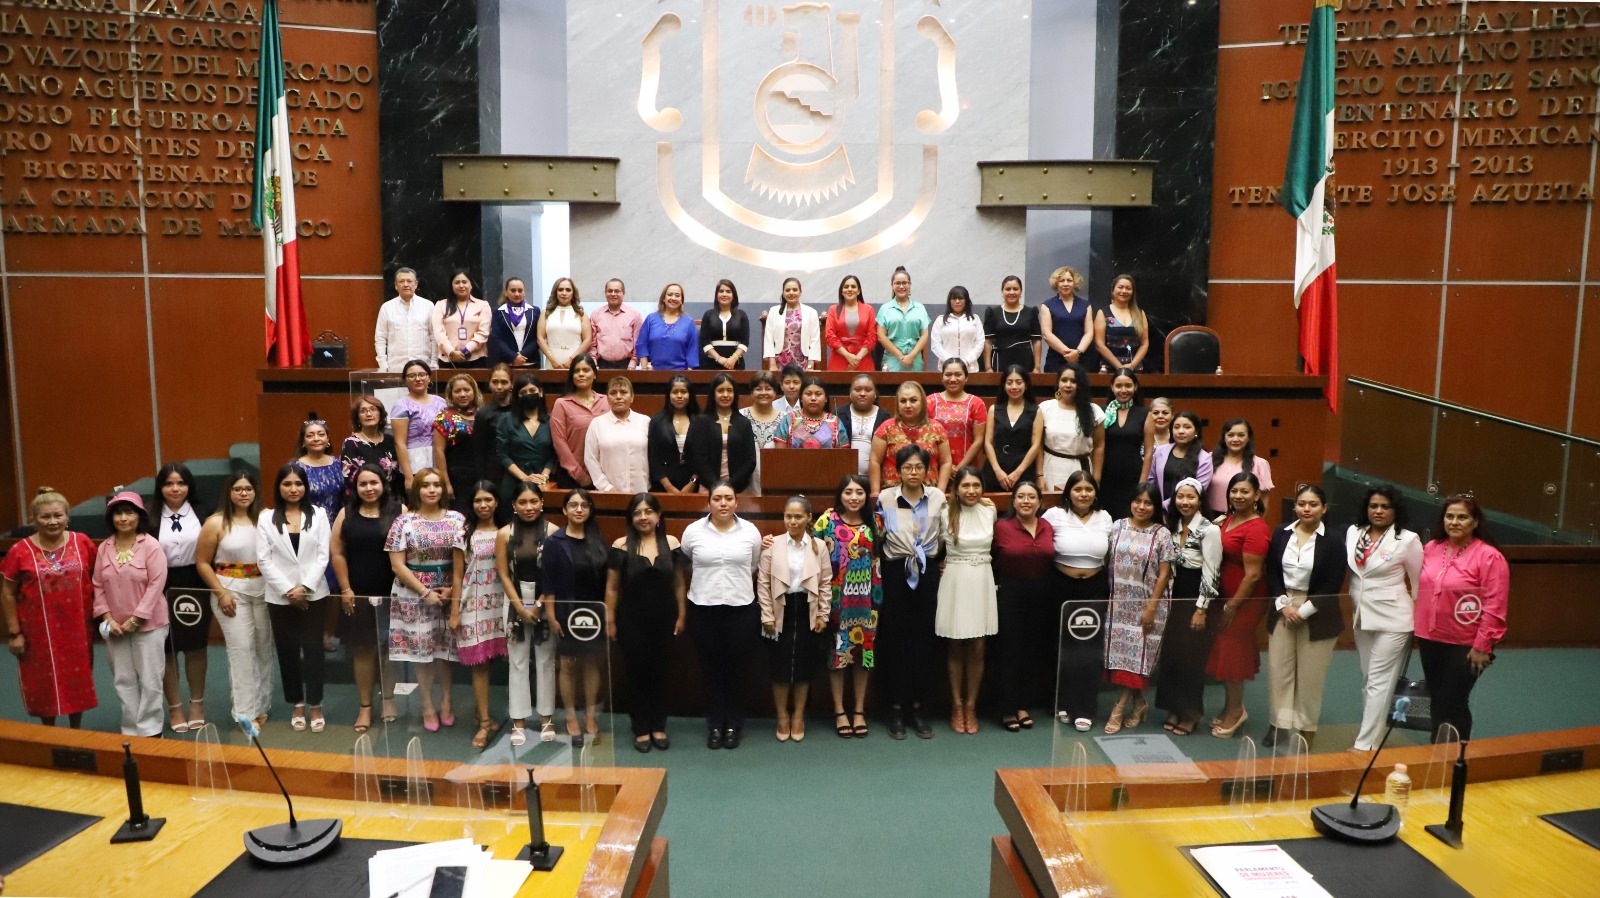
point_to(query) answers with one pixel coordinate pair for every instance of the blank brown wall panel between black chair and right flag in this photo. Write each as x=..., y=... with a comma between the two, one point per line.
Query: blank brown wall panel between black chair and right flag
x=1258, y=327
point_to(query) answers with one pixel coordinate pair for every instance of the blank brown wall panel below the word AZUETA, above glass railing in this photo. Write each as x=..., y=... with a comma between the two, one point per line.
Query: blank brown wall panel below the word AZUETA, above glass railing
x=1494, y=331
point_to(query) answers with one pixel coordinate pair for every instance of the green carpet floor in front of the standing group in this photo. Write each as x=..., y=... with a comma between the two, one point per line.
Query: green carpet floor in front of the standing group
x=881, y=817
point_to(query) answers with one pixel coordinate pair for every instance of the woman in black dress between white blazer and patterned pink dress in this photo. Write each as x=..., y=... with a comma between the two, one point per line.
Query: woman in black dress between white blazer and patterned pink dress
x=366, y=580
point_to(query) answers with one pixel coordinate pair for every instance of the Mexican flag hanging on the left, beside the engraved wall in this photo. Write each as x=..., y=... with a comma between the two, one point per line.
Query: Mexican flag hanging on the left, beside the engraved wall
x=273, y=204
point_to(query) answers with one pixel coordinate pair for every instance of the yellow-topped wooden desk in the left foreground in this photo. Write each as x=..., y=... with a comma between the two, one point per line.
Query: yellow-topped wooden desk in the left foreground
x=617, y=856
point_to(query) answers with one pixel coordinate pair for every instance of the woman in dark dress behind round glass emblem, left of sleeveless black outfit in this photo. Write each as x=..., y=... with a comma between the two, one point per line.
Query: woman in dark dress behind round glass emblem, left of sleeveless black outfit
x=574, y=595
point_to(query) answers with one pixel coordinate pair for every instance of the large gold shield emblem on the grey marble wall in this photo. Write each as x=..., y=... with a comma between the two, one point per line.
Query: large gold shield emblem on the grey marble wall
x=799, y=158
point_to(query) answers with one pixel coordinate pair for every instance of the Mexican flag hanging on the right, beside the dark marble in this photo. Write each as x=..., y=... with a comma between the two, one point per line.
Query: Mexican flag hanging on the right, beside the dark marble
x=1306, y=185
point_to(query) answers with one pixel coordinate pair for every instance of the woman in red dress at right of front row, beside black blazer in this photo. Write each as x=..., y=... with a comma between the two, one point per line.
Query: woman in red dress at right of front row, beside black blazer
x=1234, y=654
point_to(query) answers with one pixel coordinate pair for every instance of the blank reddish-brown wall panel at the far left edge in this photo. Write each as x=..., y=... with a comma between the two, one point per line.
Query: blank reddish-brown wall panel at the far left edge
x=84, y=393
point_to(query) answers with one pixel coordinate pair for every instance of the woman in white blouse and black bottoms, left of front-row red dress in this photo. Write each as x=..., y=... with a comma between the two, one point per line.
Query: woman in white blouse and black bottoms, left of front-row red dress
x=1180, y=683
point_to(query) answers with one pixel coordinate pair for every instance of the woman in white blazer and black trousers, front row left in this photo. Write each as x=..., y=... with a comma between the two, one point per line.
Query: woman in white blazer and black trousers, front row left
x=292, y=548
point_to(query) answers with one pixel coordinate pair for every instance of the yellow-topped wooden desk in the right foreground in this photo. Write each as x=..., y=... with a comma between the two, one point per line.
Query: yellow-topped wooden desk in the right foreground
x=1508, y=852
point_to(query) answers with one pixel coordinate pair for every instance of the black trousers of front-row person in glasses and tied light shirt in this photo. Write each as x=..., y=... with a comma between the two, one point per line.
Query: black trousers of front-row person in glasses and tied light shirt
x=906, y=644
